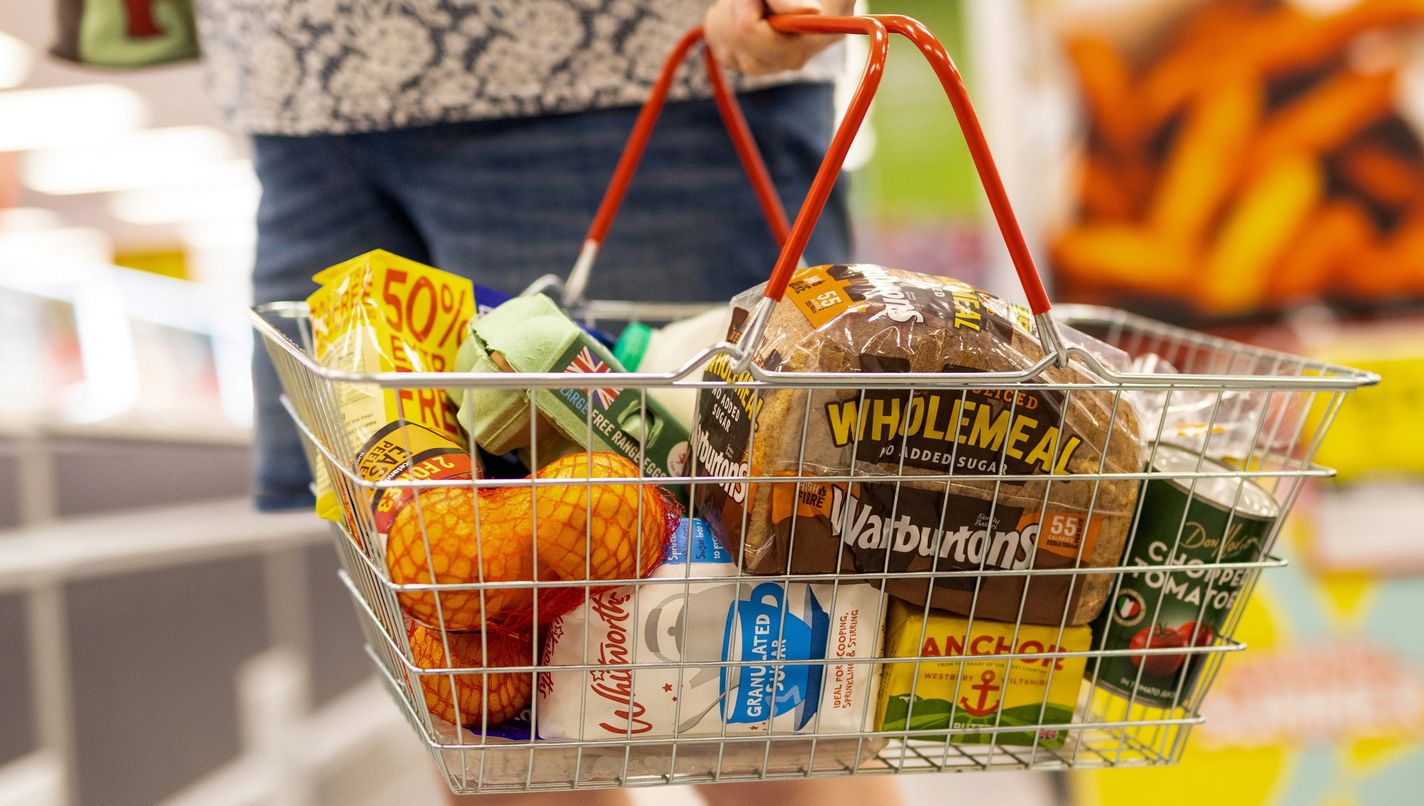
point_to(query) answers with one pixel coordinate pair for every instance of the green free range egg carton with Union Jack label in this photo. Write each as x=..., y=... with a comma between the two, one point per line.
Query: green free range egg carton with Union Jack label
x=530, y=334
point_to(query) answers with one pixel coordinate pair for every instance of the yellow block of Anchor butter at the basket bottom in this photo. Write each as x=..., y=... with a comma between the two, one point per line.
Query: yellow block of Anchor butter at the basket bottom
x=979, y=691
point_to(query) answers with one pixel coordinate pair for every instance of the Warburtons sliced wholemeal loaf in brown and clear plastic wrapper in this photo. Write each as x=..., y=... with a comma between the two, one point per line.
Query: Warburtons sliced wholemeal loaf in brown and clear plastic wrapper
x=865, y=318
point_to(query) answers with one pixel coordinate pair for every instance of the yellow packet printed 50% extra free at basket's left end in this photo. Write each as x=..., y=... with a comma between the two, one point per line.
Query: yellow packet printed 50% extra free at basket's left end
x=379, y=314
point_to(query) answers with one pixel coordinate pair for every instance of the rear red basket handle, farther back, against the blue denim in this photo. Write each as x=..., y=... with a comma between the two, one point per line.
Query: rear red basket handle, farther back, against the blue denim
x=743, y=142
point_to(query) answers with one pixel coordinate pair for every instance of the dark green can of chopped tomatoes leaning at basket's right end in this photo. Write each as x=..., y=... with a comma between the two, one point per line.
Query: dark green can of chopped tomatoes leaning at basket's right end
x=1218, y=522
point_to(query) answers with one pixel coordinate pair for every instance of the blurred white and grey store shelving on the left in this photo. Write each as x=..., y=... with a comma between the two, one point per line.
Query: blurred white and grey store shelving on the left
x=162, y=642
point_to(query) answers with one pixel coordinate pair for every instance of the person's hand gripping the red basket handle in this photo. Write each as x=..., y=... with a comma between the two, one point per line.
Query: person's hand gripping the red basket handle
x=743, y=38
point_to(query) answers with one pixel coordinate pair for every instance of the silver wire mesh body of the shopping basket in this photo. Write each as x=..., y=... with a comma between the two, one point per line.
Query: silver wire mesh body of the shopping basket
x=1281, y=408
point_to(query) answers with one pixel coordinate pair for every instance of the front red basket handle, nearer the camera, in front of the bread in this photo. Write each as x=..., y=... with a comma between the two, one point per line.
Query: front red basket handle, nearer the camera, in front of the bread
x=878, y=29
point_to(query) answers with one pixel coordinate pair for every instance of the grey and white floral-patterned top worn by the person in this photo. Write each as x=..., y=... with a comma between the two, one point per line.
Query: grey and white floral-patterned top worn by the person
x=345, y=66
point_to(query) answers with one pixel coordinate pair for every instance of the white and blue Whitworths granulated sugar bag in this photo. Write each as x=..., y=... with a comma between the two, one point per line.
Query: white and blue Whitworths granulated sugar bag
x=669, y=627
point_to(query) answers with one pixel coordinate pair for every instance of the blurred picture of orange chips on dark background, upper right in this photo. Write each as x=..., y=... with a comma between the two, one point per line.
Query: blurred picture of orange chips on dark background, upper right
x=1241, y=156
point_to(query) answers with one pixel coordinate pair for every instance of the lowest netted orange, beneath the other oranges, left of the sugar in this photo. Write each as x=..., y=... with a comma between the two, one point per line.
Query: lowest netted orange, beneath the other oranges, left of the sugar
x=503, y=694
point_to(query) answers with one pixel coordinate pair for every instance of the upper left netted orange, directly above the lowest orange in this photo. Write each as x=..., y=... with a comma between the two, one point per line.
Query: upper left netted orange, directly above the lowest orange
x=503, y=552
